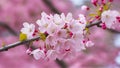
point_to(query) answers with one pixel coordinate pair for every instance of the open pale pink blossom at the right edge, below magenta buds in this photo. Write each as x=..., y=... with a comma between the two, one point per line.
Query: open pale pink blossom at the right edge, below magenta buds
x=109, y=17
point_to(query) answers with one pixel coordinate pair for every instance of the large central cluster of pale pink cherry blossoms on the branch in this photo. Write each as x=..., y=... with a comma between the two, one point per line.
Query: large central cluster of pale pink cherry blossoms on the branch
x=61, y=36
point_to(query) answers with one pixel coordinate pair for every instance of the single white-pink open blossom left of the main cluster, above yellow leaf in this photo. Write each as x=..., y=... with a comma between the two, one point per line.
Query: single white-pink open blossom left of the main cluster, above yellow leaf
x=28, y=29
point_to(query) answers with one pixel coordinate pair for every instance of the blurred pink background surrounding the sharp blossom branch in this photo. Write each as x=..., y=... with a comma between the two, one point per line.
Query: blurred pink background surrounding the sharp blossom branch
x=105, y=53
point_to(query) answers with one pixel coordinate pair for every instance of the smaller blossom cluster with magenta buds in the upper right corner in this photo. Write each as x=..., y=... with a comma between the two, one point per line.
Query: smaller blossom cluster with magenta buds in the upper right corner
x=105, y=14
